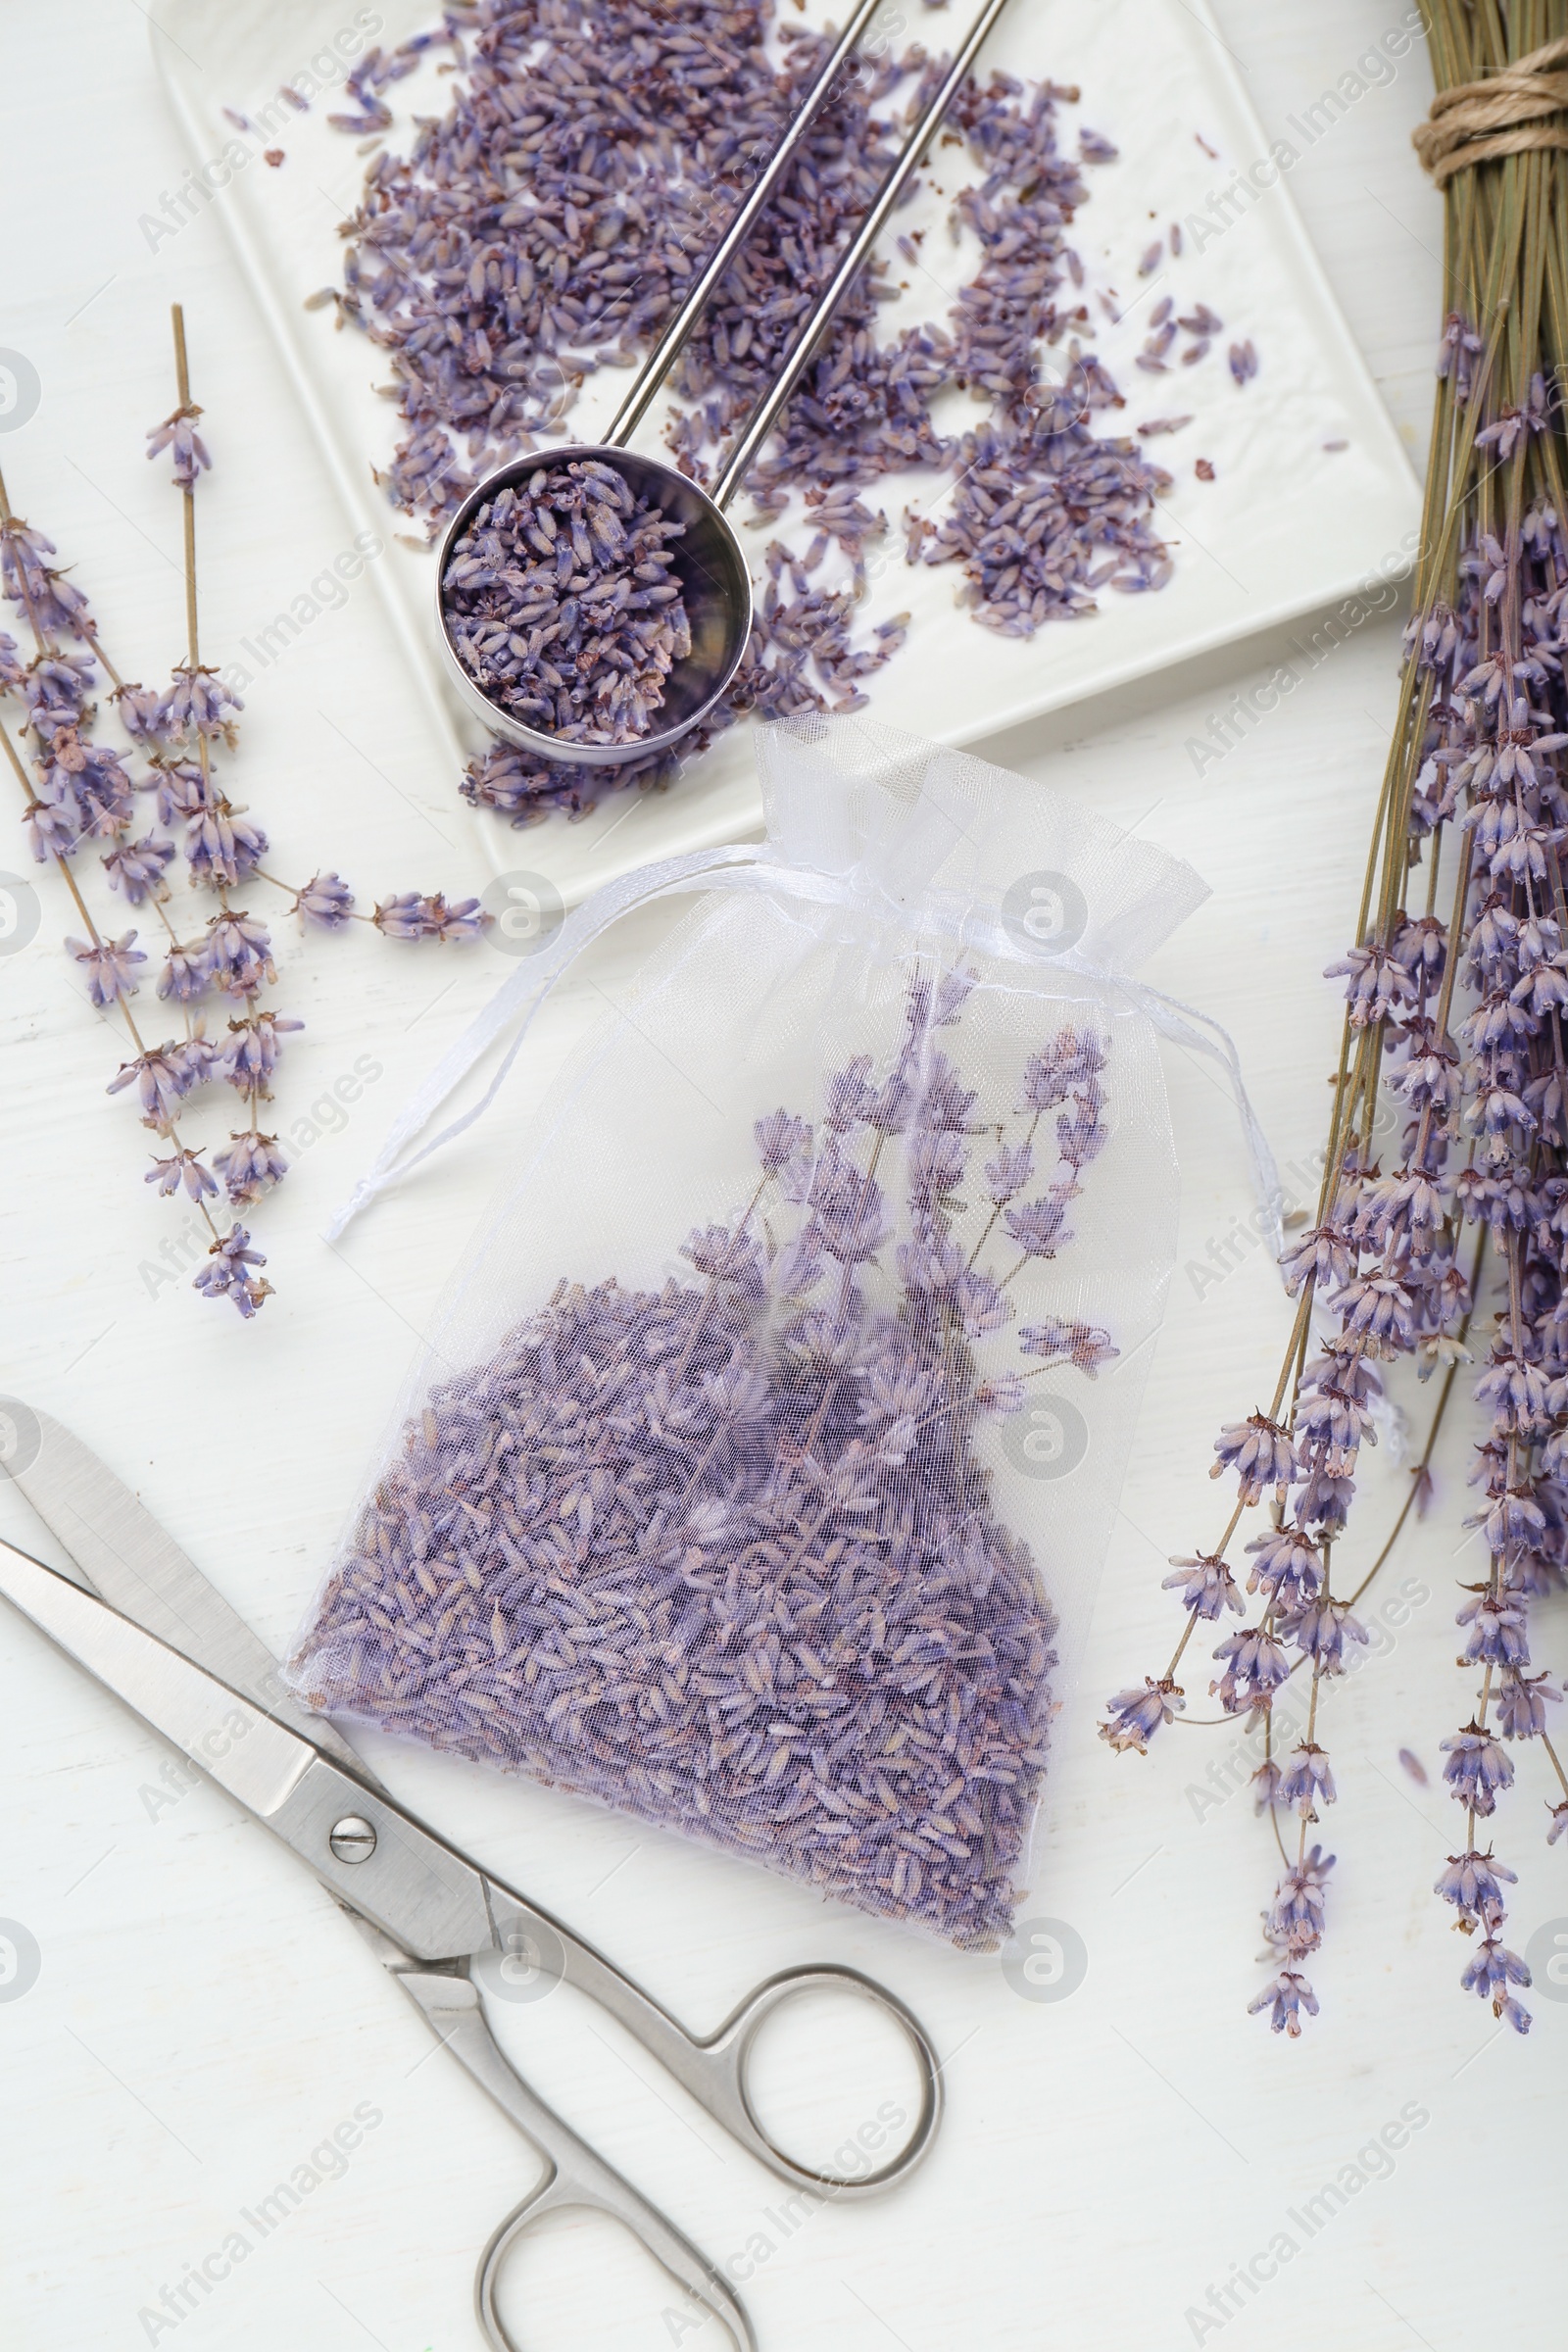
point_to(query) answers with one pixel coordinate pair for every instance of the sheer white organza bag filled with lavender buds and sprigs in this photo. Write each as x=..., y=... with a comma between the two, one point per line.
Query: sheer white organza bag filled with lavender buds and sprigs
x=760, y=1466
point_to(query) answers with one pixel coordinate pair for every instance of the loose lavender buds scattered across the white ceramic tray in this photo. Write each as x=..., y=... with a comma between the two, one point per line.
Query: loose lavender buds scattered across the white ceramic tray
x=549, y=222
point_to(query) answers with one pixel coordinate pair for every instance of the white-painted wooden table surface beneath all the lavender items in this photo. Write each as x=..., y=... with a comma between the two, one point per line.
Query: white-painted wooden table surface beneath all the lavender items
x=201, y=2022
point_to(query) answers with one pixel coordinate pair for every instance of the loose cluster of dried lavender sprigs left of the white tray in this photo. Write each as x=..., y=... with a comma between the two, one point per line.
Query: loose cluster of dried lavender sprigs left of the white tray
x=217, y=956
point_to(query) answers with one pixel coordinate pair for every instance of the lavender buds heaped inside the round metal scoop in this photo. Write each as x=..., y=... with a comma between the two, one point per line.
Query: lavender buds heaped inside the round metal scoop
x=563, y=603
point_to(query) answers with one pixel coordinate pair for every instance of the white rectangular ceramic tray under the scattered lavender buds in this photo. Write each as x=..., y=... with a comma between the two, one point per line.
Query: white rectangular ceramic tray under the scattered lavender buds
x=1285, y=528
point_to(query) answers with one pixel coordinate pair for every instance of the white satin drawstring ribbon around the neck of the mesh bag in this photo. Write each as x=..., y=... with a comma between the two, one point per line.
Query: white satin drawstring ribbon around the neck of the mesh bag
x=756, y=867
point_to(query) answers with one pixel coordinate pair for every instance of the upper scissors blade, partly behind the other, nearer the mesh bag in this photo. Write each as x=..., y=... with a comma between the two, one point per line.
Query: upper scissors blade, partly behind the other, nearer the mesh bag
x=142, y=1572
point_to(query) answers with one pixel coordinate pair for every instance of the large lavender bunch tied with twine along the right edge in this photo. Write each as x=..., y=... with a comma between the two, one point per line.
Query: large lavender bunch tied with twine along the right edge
x=1456, y=1022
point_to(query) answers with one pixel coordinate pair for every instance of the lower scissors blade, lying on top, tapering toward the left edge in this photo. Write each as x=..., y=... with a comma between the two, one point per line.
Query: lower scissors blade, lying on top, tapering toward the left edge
x=236, y=1742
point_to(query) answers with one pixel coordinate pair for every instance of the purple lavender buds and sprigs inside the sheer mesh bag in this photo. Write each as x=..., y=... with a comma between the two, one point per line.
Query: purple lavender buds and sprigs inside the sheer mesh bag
x=723, y=1553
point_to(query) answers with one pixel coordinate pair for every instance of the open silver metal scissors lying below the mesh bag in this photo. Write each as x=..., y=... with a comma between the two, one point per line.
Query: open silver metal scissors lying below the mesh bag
x=149, y=1626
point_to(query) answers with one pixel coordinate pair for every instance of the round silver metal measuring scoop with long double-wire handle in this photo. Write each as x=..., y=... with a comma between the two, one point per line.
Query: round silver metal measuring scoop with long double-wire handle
x=706, y=559
